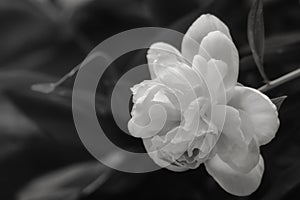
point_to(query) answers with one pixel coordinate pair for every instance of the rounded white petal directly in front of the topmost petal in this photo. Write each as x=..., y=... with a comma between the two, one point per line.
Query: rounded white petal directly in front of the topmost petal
x=216, y=45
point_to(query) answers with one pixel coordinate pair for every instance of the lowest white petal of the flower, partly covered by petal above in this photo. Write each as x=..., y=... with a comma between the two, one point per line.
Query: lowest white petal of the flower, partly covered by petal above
x=232, y=181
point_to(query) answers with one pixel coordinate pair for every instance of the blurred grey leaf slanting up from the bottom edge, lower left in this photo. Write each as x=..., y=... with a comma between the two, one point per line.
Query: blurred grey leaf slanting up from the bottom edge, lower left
x=68, y=183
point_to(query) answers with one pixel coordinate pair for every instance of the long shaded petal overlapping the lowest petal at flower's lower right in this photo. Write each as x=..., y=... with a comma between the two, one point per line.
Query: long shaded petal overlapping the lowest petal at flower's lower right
x=232, y=147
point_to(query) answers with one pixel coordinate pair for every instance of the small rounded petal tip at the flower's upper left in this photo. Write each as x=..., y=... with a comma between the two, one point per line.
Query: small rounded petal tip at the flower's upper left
x=164, y=52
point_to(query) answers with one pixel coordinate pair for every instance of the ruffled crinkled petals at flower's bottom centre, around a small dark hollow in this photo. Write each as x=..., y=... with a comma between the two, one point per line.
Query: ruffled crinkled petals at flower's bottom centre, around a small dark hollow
x=189, y=144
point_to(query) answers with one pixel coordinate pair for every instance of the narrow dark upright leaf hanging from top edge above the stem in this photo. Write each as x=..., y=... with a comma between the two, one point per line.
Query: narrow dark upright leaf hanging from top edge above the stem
x=256, y=35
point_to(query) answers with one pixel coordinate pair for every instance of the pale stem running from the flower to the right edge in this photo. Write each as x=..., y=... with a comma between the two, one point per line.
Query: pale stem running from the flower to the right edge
x=279, y=81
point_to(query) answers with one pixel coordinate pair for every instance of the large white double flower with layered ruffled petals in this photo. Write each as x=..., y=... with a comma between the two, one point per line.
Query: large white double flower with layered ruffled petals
x=194, y=112
